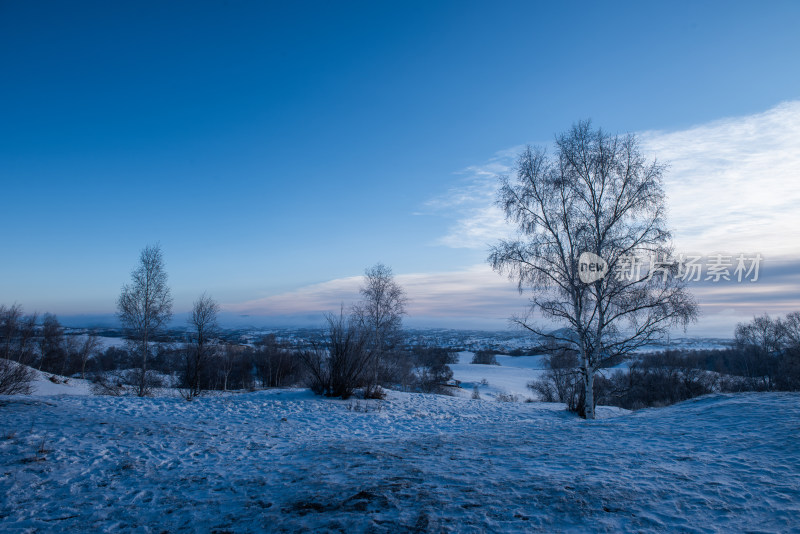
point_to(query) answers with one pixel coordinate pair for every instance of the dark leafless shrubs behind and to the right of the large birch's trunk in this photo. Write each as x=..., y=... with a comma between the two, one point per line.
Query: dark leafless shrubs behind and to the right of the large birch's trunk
x=765, y=357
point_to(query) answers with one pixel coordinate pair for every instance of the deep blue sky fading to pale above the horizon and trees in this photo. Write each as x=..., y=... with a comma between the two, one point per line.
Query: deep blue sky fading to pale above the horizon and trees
x=276, y=150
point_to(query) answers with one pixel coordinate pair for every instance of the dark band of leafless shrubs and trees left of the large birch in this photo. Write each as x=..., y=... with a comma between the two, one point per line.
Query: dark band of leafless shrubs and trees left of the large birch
x=340, y=362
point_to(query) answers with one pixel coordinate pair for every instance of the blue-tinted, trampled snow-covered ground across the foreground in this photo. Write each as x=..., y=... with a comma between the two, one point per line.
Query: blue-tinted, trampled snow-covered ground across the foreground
x=283, y=460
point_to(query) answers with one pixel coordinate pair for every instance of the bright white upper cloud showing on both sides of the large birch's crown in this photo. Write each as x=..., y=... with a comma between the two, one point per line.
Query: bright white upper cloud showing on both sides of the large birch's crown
x=732, y=184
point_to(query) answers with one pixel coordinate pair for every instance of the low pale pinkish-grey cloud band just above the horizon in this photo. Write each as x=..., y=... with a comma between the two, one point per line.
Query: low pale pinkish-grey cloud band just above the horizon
x=478, y=297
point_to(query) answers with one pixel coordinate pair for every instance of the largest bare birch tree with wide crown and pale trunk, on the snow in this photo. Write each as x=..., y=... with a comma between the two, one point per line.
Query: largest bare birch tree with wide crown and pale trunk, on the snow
x=596, y=194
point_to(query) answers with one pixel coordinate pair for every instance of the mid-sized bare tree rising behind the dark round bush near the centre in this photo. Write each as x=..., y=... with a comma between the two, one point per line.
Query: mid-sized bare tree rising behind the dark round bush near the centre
x=380, y=313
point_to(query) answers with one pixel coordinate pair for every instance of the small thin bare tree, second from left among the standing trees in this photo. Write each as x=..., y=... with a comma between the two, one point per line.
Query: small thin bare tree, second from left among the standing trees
x=203, y=321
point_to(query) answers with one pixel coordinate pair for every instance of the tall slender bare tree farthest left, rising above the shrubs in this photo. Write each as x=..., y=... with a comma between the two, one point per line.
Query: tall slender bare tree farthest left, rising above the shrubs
x=145, y=305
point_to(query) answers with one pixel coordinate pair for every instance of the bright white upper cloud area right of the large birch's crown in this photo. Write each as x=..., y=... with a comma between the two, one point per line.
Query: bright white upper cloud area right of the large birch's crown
x=734, y=184
